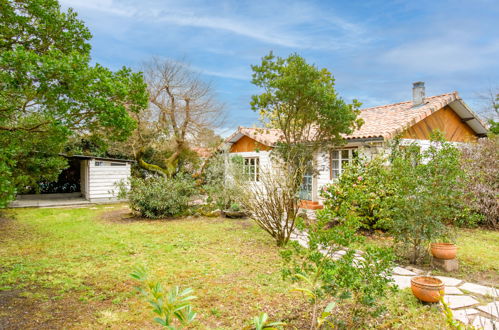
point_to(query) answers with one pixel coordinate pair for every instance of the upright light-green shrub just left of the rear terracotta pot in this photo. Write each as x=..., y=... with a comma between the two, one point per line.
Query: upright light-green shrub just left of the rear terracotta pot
x=427, y=195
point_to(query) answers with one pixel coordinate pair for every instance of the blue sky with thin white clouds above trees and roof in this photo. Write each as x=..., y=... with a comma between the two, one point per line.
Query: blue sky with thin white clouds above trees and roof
x=375, y=49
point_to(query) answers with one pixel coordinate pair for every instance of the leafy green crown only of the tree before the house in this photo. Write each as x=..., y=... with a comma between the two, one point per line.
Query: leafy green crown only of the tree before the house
x=301, y=101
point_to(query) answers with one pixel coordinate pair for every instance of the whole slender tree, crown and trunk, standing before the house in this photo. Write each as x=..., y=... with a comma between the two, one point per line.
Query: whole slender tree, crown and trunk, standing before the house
x=300, y=100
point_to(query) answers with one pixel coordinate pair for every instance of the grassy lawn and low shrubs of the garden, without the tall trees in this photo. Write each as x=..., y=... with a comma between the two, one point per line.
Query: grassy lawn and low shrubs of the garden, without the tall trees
x=170, y=257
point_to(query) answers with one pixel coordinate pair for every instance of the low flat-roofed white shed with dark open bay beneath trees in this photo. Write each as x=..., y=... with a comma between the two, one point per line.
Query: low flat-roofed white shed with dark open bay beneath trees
x=88, y=179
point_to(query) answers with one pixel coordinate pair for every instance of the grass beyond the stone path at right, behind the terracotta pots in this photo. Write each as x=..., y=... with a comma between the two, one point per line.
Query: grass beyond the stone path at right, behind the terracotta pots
x=478, y=253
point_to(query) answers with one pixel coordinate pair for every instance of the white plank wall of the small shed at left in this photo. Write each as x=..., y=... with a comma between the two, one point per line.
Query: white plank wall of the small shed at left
x=102, y=179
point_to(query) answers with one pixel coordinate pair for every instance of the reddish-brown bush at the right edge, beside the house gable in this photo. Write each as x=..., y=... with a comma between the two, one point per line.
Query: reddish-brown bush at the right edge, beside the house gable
x=480, y=161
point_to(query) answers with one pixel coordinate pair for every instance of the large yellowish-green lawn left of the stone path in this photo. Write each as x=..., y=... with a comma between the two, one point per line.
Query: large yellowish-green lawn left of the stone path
x=62, y=268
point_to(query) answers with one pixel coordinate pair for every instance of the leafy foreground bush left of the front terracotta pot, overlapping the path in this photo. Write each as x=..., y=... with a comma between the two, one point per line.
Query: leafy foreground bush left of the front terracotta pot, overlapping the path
x=327, y=279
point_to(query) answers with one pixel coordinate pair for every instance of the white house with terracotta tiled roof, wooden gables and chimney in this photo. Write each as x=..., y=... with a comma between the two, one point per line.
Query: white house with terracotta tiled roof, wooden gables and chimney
x=413, y=121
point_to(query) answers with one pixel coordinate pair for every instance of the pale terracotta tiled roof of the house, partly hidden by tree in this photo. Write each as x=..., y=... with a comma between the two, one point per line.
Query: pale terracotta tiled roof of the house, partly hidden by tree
x=379, y=122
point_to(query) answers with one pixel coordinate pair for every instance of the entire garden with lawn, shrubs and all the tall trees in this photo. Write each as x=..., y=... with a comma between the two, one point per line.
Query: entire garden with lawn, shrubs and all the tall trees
x=197, y=245
